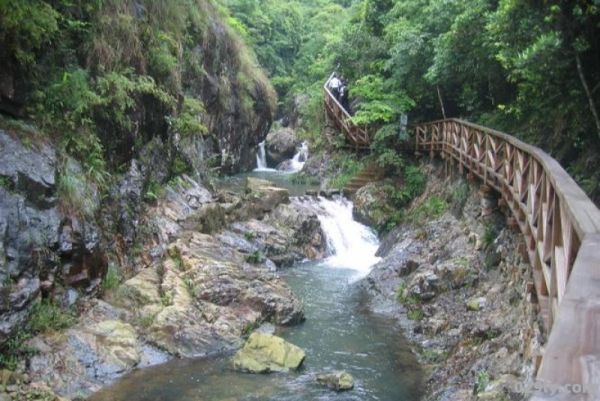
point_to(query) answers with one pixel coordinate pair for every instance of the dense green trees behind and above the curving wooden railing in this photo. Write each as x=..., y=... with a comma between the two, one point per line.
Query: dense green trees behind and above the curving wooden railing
x=529, y=68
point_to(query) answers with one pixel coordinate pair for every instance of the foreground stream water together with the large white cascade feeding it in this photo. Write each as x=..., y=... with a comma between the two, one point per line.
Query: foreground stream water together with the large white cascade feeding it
x=339, y=333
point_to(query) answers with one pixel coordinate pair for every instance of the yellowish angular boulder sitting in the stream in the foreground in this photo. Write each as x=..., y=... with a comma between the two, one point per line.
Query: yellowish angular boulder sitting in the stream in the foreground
x=264, y=353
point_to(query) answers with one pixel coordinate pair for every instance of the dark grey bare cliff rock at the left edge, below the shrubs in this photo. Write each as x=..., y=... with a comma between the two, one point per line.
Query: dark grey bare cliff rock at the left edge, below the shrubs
x=42, y=249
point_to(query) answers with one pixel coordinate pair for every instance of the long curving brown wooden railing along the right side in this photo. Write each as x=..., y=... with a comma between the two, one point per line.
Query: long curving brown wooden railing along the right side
x=561, y=227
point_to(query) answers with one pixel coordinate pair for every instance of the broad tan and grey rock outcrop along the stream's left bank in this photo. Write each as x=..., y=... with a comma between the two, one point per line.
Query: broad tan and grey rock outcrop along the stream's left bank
x=208, y=279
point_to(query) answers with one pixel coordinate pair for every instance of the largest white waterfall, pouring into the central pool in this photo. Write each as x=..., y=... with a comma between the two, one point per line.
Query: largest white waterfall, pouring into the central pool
x=352, y=245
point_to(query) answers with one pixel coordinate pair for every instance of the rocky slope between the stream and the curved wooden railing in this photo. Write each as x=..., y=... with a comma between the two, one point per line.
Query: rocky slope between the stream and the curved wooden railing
x=458, y=283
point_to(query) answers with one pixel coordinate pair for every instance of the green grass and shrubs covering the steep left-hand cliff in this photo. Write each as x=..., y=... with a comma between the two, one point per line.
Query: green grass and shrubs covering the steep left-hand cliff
x=104, y=77
